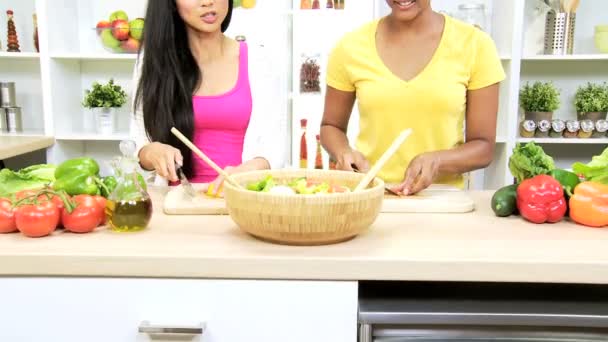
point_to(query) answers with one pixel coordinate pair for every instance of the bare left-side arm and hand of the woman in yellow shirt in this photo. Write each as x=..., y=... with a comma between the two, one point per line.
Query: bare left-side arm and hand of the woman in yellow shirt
x=338, y=108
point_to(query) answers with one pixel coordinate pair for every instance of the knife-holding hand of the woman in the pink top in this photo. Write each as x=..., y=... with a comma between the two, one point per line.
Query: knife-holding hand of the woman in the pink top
x=162, y=158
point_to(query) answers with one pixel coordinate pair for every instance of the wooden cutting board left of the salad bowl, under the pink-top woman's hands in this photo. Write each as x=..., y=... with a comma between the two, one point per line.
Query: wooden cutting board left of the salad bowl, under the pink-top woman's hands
x=177, y=202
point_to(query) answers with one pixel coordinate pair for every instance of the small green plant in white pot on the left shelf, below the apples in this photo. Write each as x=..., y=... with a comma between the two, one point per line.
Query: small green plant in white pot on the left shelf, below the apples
x=103, y=100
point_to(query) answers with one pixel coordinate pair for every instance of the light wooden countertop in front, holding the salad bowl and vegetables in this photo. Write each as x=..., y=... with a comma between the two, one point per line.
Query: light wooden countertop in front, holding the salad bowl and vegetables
x=450, y=247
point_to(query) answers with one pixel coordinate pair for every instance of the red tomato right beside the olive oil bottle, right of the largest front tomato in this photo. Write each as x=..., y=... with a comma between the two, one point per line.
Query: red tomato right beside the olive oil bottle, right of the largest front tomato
x=85, y=217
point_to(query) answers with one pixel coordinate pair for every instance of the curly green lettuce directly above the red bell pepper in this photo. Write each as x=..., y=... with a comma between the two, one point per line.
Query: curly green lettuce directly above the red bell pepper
x=528, y=161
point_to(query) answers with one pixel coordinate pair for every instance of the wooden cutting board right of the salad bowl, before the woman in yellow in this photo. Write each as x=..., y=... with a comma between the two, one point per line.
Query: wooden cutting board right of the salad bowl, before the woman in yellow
x=434, y=199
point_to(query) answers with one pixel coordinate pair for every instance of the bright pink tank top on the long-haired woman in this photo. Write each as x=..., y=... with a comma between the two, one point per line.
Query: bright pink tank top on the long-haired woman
x=220, y=123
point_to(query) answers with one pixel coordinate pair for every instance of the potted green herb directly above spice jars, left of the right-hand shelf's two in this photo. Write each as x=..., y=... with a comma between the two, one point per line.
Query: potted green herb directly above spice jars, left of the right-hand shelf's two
x=539, y=100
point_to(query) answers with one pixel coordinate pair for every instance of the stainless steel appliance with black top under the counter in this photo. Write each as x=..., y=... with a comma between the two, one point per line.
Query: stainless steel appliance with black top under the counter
x=484, y=312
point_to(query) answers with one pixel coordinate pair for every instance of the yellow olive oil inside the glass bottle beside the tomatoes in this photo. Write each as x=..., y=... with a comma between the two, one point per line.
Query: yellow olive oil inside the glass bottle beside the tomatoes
x=129, y=216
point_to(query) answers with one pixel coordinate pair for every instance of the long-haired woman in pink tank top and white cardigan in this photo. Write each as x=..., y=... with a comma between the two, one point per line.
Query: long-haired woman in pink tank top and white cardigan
x=196, y=79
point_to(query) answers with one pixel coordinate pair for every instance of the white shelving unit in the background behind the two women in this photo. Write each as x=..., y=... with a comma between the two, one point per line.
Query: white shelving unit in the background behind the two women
x=50, y=84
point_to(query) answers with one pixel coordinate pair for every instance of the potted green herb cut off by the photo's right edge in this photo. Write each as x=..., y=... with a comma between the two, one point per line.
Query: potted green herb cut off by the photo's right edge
x=591, y=102
